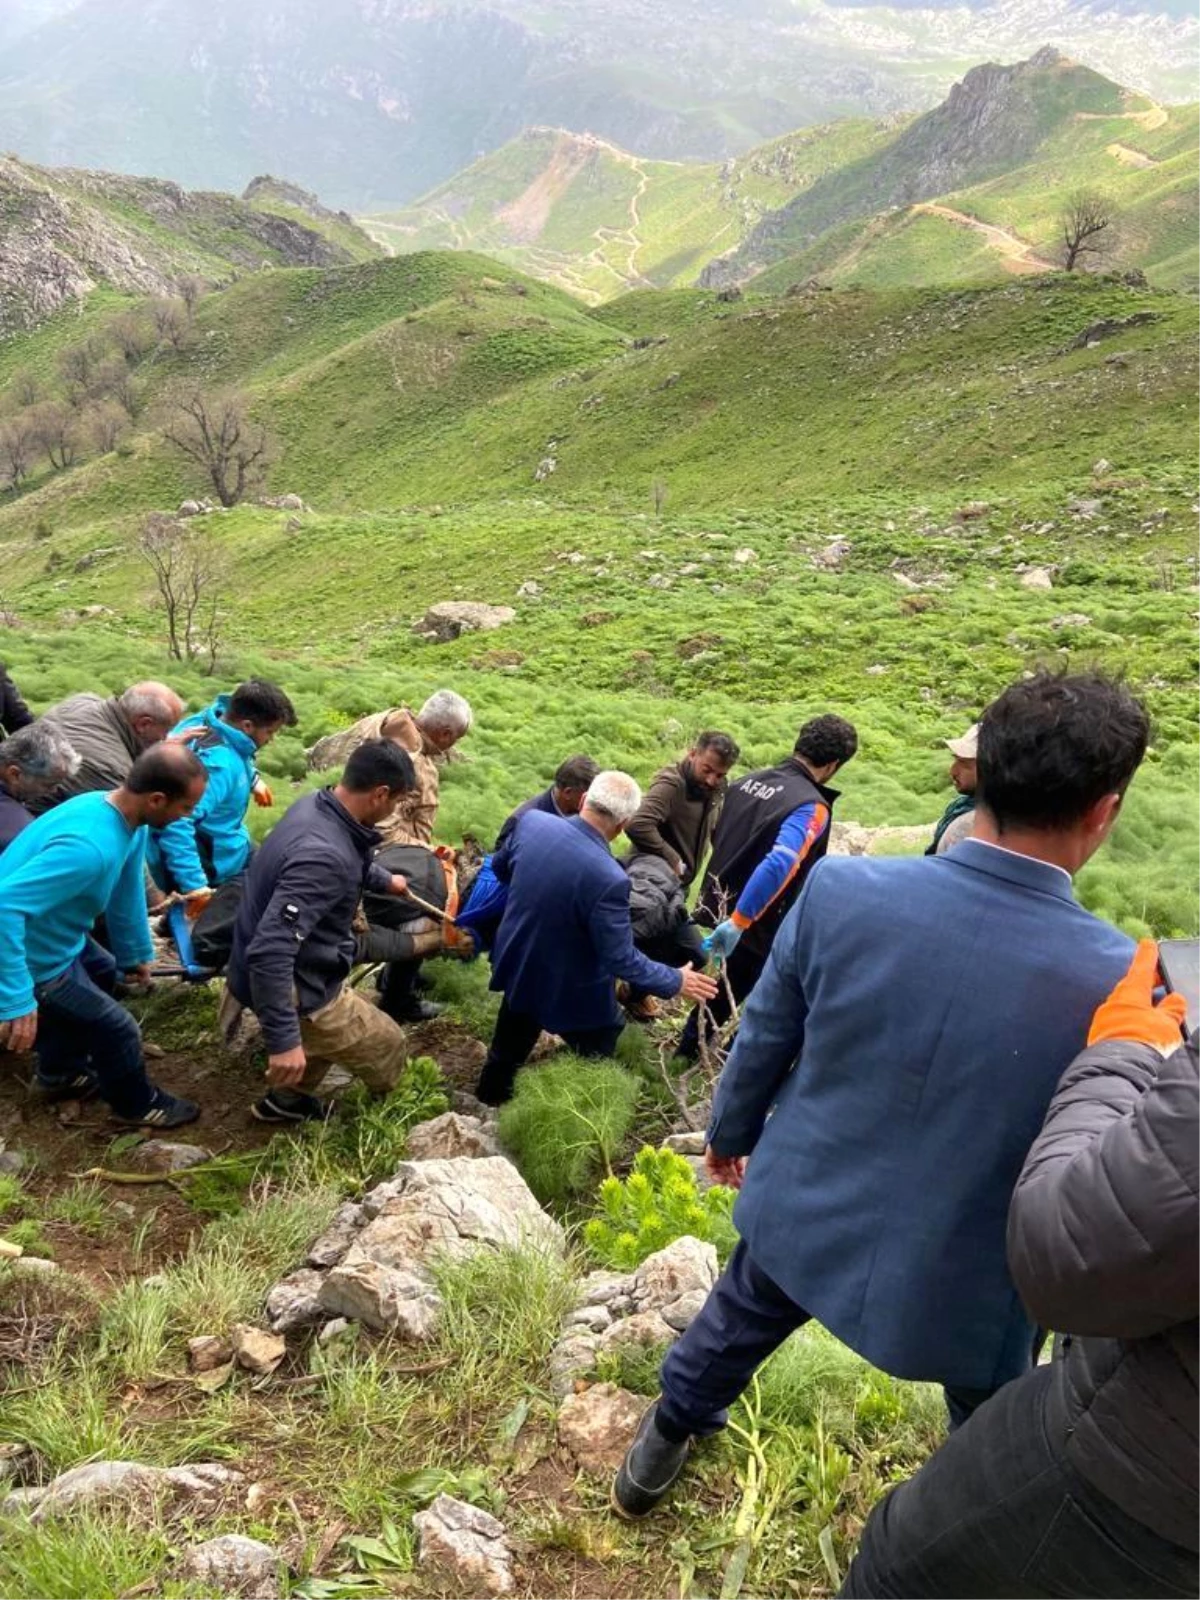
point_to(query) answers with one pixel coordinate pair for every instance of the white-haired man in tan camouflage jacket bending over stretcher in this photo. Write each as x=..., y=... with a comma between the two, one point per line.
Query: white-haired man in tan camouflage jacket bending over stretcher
x=428, y=737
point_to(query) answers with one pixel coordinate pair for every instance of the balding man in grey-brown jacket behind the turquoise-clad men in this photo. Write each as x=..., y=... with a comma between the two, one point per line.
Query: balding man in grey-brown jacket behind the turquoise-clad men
x=110, y=735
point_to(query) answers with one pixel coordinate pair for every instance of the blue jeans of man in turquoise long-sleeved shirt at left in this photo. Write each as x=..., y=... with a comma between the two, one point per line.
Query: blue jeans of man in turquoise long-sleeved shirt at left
x=82, y=1026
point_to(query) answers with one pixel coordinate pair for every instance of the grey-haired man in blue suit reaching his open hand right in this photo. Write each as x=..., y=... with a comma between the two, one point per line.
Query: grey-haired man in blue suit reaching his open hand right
x=567, y=937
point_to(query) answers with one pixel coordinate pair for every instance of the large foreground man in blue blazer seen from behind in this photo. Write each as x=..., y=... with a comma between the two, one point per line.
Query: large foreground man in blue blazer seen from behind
x=894, y=1068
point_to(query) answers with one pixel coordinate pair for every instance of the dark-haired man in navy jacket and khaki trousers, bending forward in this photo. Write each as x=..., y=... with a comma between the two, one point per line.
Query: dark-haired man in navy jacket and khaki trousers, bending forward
x=295, y=942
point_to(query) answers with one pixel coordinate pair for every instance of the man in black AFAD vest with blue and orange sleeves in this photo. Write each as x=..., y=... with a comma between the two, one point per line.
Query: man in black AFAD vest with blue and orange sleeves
x=774, y=831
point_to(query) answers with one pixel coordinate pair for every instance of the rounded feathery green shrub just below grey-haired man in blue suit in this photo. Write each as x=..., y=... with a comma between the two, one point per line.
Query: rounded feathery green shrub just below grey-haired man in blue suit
x=567, y=1122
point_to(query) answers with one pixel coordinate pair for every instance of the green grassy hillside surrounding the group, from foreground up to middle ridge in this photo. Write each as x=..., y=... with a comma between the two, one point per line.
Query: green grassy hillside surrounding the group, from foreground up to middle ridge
x=705, y=513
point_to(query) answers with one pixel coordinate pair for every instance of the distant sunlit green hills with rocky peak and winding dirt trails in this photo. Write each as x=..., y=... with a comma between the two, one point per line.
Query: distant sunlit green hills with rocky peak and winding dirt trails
x=969, y=193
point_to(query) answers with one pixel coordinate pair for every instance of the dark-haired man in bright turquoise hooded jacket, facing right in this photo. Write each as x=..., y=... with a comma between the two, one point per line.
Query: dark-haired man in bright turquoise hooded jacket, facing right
x=210, y=847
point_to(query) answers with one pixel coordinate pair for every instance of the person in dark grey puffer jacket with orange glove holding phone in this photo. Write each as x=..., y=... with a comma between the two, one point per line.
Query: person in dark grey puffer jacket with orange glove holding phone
x=1082, y=1481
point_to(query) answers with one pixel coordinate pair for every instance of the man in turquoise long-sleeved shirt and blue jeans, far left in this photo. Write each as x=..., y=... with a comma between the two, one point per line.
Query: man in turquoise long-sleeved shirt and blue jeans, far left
x=81, y=862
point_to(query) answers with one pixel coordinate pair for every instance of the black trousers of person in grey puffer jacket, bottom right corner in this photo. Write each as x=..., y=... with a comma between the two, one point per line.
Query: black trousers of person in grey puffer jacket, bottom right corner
x=999, y=1514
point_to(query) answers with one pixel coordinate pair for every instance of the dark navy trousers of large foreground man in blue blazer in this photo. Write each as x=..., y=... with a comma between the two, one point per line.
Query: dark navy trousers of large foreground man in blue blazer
x=745, y=1319
